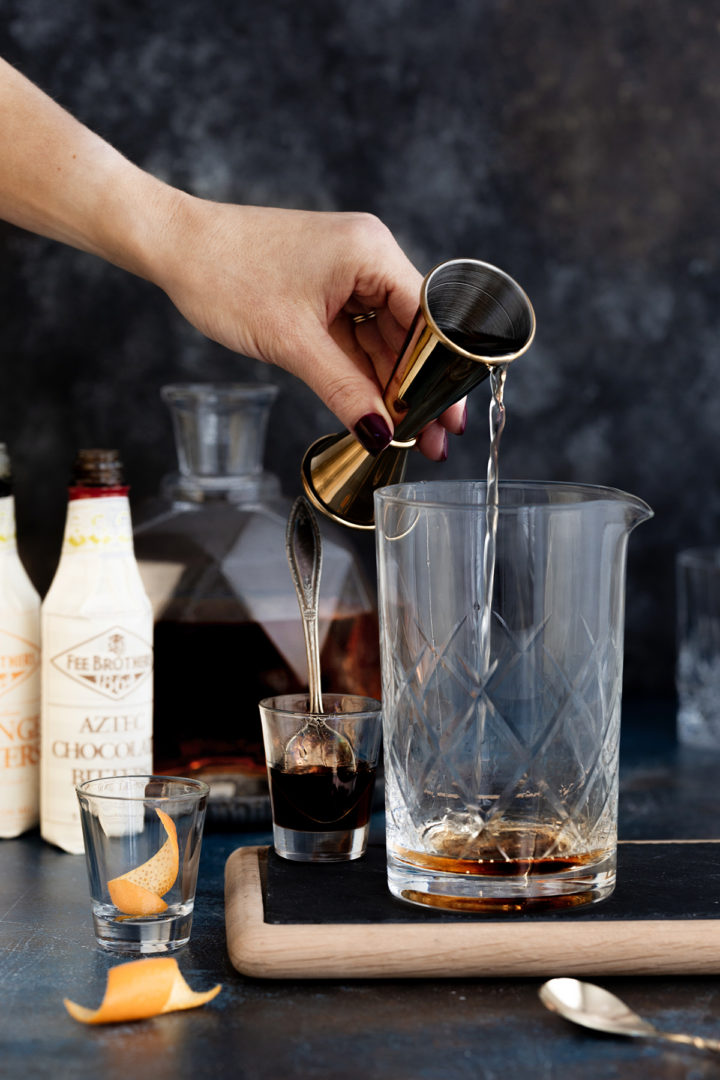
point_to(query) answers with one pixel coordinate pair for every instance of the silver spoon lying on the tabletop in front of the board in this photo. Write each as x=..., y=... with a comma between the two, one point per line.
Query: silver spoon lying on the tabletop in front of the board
x=602, y=1011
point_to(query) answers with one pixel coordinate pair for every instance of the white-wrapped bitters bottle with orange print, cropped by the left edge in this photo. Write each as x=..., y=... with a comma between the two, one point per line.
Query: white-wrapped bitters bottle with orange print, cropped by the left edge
x=20, y=676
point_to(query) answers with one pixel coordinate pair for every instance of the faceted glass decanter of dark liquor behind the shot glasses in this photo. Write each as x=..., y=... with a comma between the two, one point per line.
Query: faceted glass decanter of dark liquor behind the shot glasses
x=211, y=550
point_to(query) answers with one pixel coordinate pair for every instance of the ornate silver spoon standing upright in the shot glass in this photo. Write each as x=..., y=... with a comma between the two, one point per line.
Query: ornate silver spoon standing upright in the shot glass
x=316, y=744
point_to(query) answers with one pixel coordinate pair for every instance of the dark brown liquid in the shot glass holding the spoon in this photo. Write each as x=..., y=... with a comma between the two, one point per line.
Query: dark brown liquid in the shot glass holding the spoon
x=322, y=800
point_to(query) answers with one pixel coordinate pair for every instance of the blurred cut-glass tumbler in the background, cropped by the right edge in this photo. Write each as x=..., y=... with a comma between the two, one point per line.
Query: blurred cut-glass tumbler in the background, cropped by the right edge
x=698, y=673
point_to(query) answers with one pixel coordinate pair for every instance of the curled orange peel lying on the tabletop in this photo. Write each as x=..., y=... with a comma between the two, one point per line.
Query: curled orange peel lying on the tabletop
x=140, y=990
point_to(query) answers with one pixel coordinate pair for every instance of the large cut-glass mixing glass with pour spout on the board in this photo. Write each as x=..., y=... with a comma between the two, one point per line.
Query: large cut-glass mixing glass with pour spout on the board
x=502, y=655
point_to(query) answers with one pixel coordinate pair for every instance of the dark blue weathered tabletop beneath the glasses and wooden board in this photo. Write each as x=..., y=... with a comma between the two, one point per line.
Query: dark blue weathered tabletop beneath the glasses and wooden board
x=442, y=1030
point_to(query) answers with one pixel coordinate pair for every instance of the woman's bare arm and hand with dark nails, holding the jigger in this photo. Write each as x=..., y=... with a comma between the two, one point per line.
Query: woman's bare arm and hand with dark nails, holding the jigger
x=279, y=286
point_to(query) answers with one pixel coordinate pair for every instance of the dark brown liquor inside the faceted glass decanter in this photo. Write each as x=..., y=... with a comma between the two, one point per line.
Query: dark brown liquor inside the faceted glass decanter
x=210, y=678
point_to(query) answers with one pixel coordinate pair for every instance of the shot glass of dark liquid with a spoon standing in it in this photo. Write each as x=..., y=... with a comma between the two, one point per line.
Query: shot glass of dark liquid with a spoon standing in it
x=321, y=772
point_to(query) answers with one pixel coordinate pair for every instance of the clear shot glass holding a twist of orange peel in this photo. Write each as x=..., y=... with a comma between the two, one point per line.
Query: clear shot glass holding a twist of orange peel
x=143, y=838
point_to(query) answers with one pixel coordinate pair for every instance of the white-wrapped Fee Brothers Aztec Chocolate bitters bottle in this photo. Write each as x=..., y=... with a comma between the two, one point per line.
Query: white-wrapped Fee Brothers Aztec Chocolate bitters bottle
x=98, y=651
